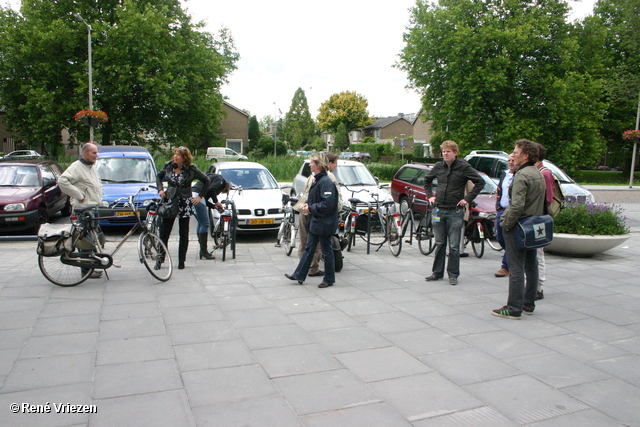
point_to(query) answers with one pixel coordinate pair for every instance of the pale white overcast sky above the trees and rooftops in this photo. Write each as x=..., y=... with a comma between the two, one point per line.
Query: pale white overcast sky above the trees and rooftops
x=322, y=47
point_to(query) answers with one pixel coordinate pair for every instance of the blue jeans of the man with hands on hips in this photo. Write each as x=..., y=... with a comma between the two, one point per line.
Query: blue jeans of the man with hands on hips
x=448, y=228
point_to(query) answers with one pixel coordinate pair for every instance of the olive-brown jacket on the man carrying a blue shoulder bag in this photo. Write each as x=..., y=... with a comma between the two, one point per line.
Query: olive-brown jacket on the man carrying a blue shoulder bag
x=526, y=196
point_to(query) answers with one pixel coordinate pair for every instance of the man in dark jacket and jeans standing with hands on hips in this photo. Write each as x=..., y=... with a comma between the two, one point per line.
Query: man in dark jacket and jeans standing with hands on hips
x=450, y=201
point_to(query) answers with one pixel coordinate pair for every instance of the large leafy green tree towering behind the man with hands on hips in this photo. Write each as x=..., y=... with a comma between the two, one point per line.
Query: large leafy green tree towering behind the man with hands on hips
x=492, y=72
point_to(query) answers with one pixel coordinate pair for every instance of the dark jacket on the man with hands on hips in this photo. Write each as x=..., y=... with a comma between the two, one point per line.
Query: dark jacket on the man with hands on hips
x=452, y=182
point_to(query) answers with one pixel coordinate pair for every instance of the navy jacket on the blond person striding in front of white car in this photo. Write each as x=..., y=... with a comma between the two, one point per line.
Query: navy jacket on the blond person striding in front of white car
x=323, y=206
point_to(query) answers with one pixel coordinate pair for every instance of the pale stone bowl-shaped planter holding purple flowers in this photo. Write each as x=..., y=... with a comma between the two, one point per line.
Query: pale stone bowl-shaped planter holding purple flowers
x=583, y=246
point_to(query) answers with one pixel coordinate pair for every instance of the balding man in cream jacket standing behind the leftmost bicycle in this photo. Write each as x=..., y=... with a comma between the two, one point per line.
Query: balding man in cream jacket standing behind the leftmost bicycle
x=82, y=184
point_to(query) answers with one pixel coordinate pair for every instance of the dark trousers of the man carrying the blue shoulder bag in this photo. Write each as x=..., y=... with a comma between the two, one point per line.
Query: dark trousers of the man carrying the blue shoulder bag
x=522, y=263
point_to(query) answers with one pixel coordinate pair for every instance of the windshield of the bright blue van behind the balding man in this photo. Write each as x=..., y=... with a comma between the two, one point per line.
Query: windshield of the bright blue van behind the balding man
x=125, y=170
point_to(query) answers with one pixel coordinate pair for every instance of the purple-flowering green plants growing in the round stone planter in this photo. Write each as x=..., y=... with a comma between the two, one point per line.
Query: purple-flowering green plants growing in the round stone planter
x=591, y=219
